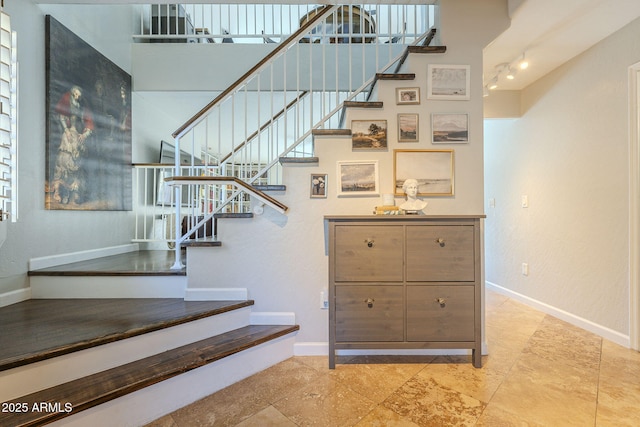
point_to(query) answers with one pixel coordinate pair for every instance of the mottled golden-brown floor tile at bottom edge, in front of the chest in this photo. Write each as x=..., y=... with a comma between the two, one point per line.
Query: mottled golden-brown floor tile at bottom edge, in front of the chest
x=426, y=403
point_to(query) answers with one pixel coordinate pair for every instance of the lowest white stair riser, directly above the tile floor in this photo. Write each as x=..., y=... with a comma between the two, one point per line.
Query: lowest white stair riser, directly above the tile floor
x=153, y=402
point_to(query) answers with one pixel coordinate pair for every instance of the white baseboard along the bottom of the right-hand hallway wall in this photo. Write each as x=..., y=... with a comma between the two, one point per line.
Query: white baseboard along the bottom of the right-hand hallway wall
x=603, y=331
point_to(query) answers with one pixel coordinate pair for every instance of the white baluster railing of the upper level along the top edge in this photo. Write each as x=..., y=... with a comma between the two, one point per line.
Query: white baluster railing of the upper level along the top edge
x=272, y=23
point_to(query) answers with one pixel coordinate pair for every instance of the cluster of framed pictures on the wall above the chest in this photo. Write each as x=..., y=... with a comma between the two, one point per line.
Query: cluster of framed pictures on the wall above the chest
x=420, y=137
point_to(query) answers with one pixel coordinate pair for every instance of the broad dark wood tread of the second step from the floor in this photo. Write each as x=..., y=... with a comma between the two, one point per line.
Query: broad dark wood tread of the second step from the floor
x=37, y=329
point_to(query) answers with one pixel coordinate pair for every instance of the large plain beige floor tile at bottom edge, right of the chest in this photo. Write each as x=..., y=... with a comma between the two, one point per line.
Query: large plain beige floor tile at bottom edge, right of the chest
x=547, y=393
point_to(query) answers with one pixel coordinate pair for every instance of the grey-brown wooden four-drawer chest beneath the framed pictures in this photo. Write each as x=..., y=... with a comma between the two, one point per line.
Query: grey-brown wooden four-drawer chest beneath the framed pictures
x=404, y=282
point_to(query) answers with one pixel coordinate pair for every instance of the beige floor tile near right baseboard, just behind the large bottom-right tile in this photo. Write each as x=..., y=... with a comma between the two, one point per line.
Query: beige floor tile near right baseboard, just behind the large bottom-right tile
x=559, y=341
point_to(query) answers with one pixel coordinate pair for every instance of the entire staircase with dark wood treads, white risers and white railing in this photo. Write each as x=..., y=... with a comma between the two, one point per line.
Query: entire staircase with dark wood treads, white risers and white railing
x=139, y=370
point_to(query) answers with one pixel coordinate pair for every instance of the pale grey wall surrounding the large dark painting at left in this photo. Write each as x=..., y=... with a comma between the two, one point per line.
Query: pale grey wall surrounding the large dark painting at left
x=41, y=232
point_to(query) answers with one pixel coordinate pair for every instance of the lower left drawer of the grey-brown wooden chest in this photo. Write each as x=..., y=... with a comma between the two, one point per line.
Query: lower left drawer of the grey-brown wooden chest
x=369, y=313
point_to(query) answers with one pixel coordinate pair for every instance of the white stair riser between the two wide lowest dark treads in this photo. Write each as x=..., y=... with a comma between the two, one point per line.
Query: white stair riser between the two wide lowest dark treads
x=47, y=373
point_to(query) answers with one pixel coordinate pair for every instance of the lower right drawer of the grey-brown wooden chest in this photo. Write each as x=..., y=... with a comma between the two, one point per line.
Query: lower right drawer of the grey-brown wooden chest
x=440, y=313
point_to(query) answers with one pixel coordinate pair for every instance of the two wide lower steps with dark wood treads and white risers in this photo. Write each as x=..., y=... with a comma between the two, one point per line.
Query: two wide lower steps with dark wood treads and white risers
x=106, y=362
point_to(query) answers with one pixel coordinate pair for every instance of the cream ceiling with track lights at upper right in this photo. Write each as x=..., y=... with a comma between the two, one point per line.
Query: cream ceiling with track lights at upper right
x=548, y=32
